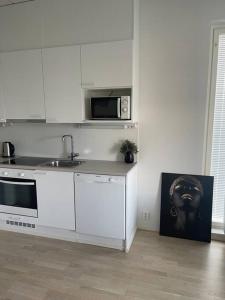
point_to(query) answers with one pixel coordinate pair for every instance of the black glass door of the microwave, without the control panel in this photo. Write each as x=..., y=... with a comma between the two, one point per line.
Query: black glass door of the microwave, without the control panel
x=106, y=108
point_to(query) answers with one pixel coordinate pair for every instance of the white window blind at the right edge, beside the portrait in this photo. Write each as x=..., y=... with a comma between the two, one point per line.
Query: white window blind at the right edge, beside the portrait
x=218, y=137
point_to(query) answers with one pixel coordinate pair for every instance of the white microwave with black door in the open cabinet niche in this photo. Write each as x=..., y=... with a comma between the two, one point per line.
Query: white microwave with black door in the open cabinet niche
x=111, y=108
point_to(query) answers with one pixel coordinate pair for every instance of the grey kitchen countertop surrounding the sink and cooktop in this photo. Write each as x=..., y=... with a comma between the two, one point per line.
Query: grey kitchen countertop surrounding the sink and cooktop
x=114, y=168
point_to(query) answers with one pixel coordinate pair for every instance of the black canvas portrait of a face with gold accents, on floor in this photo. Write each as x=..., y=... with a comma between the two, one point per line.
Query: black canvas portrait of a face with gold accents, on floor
x=186, y=206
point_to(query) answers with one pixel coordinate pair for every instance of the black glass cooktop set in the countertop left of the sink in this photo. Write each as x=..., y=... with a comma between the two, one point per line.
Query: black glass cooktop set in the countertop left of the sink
x=26, y=161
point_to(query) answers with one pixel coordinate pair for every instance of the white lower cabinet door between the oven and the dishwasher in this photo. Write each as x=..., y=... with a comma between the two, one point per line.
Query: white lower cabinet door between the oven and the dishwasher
x=55, y=196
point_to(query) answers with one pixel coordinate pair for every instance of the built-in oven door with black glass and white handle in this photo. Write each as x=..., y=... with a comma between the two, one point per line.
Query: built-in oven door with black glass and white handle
x=18, y=196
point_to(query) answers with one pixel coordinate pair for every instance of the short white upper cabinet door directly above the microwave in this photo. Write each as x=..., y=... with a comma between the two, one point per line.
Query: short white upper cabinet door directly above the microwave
x=107, y=64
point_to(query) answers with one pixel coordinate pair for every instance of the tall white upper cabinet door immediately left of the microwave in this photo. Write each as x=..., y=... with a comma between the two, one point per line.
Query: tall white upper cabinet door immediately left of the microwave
x=62, y=84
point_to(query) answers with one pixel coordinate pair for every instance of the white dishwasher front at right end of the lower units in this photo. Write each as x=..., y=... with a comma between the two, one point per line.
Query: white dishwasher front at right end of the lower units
x=100, y=205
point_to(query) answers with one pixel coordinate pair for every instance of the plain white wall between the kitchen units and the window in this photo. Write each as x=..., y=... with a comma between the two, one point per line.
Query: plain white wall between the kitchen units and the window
x=174, y=57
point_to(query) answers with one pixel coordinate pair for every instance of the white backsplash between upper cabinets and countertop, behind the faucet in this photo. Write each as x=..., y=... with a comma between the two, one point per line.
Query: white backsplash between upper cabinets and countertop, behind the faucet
x=46, y=140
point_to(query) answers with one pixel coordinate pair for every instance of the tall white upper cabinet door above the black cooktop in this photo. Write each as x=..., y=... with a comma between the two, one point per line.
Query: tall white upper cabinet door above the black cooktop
x=23, y=84
